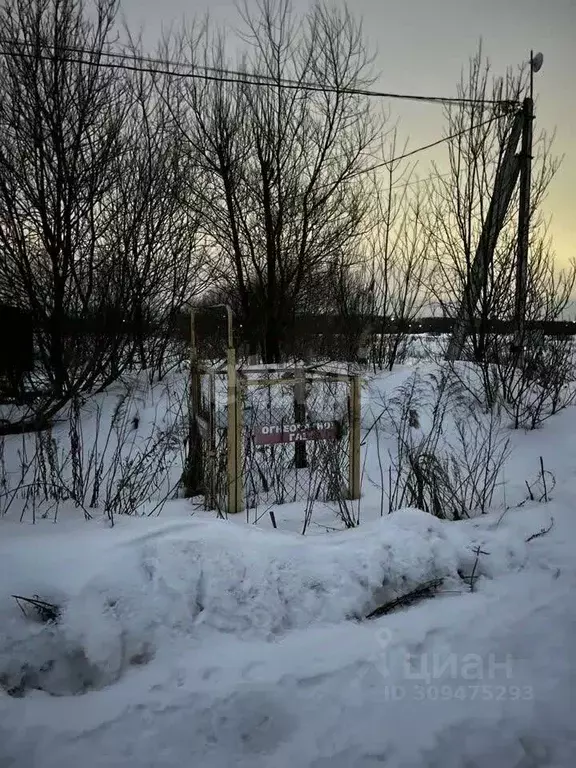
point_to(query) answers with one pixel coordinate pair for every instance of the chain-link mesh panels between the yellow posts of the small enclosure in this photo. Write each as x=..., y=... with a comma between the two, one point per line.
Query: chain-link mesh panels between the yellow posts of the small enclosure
x=295, y=441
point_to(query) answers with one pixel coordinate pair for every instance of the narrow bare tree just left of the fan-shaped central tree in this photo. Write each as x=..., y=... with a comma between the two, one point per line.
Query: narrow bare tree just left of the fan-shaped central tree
x=156, y=232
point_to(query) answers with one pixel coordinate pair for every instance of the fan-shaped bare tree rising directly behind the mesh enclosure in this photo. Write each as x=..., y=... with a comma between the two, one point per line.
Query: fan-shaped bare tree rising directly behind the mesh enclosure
x=283, y=197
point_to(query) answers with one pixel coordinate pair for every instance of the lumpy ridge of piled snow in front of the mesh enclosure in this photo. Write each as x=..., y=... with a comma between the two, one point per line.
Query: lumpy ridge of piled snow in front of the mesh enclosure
x=125, y=593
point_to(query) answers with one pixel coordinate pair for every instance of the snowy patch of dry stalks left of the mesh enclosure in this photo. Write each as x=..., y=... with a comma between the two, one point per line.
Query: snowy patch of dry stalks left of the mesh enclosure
x=117, y=453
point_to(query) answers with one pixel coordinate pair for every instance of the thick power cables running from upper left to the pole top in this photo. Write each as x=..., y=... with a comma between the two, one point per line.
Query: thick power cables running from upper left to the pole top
x=214, y=74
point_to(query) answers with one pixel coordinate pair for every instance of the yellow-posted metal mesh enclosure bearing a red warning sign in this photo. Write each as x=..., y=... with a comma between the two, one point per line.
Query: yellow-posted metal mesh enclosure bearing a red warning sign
x=272, y=436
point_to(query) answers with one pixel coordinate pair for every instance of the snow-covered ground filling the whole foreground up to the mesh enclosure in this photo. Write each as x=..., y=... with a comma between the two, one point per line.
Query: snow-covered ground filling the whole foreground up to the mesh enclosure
x=184, y=640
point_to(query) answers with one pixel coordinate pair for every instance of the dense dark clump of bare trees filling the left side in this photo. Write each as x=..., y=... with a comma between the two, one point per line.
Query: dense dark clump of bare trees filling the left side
x=99, y=229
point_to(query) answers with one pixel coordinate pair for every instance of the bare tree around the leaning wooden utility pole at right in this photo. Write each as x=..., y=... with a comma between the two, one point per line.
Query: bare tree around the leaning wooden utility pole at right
x=531, y=380
